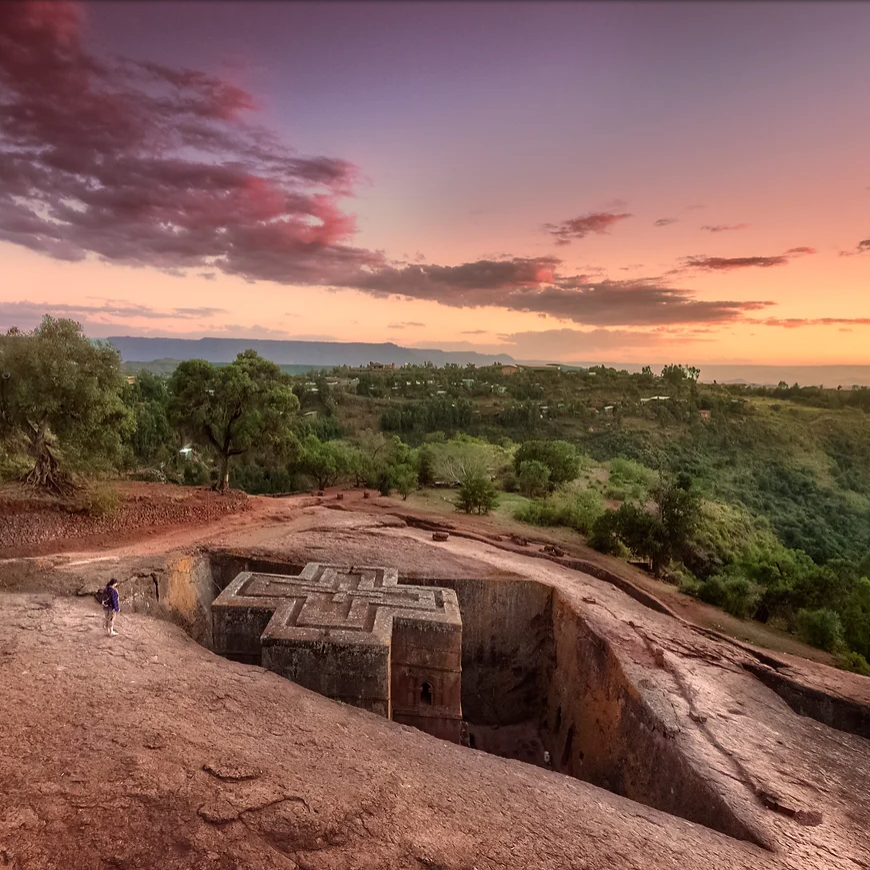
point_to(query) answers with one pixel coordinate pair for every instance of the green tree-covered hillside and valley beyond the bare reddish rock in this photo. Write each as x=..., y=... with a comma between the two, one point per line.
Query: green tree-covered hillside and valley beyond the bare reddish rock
x=755, y=500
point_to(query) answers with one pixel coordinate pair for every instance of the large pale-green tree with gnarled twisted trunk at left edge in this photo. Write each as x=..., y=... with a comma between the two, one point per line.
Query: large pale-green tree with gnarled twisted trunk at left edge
x=61, y=394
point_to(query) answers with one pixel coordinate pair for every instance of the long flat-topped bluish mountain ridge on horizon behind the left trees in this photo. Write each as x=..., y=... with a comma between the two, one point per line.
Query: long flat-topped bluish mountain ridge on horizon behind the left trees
x=318, y=354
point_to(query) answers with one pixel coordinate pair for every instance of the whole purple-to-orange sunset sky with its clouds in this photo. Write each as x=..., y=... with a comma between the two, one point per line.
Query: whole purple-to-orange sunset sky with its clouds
x=563, y=181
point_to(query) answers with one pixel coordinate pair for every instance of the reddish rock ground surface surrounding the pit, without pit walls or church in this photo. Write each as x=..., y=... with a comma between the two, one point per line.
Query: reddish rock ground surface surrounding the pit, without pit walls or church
x=145, y=750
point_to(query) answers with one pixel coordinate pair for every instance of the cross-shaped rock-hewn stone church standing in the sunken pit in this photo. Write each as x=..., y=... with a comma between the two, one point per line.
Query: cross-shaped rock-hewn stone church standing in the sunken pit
x=354, y=635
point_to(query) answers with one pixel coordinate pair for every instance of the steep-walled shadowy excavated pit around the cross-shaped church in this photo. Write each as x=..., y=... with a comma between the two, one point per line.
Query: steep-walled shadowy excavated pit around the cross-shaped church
x=536, y=679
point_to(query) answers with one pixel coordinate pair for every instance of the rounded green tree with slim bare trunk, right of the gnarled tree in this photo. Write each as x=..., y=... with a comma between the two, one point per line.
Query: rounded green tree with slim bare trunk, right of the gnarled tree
x=230, y=409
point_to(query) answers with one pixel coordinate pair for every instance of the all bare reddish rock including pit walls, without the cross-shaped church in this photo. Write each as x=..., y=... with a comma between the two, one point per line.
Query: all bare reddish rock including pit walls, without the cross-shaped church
x=146, y=750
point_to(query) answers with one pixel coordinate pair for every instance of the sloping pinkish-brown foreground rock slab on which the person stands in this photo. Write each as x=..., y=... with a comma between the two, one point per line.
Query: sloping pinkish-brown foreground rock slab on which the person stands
x=145, y=750
